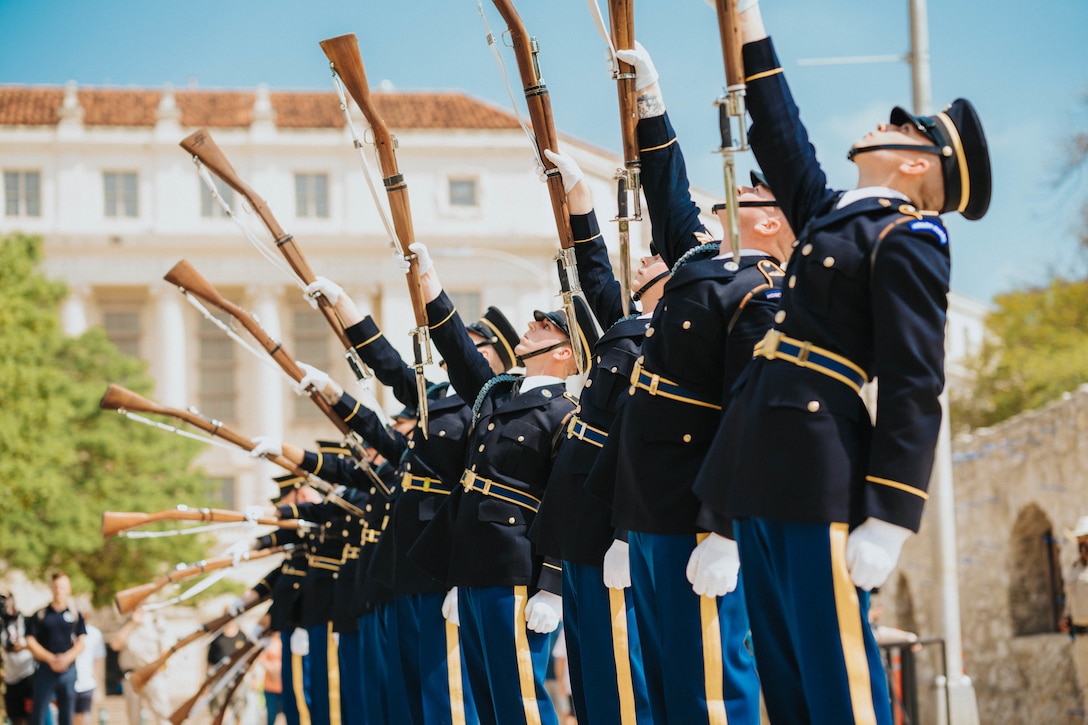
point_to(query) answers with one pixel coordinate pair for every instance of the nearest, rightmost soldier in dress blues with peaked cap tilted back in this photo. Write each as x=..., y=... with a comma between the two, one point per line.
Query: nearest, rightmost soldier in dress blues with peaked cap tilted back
x=823, y=523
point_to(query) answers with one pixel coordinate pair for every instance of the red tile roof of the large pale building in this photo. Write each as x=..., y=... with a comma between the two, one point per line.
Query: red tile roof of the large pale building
x=32, y=106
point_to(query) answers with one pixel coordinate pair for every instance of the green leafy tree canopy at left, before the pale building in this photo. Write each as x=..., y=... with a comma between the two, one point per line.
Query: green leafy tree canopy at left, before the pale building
x=64, y=461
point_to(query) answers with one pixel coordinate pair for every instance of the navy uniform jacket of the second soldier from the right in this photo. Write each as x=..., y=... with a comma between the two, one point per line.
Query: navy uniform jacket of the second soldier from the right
x=701, y=337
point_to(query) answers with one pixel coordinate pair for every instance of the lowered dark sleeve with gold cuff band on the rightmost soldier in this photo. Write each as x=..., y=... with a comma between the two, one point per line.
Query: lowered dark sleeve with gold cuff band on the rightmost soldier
x=910, y=299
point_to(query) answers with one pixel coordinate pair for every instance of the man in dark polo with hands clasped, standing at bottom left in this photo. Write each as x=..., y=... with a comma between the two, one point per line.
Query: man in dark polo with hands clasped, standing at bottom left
x=56, y=636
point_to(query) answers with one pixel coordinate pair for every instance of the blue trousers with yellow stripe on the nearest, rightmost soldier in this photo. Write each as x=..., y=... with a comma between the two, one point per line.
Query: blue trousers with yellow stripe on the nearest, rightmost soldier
x=819, y=660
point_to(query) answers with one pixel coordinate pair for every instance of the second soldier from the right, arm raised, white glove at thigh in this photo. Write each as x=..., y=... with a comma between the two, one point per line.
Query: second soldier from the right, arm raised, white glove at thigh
x=688, y=601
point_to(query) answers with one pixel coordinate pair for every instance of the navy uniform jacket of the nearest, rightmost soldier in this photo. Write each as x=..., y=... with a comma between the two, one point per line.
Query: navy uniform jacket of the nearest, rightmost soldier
x=868, y=282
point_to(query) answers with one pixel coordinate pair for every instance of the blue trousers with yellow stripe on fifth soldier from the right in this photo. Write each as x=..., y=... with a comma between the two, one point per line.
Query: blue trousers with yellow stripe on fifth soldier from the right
x=431, y=663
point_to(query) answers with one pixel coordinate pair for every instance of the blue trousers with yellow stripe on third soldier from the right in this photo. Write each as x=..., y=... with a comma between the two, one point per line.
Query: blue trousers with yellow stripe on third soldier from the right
x=604, y=655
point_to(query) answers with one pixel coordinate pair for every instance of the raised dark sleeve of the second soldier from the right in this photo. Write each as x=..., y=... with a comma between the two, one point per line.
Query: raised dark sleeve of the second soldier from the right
x=674, y=217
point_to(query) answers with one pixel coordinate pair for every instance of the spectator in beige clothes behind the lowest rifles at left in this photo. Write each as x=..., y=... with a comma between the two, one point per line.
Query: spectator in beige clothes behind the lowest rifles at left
x=139, y=643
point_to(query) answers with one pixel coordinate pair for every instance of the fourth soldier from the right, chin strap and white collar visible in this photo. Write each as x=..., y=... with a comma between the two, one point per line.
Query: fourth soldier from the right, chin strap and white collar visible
x=508, y=597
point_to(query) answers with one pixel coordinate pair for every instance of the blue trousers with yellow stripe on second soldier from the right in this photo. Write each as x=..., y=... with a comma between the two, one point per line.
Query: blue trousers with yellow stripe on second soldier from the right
x=699, y=668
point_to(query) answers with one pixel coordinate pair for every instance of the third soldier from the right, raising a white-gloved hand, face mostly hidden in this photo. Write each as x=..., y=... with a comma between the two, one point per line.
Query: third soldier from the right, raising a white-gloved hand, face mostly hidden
x=603, y=654
